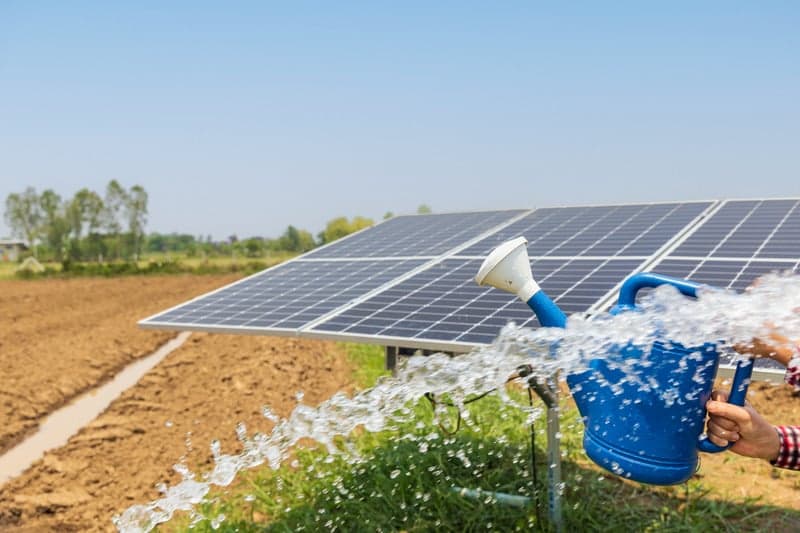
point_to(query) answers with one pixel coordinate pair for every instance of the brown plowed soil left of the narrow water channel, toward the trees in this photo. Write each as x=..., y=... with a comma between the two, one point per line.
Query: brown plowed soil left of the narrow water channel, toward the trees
x=59, y=338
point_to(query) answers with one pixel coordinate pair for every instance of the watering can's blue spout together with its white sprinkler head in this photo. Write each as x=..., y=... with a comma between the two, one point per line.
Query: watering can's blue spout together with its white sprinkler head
x=508, y=268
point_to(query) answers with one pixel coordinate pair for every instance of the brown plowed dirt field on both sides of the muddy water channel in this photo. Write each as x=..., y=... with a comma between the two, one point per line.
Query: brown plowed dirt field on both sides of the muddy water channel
x=59, y=338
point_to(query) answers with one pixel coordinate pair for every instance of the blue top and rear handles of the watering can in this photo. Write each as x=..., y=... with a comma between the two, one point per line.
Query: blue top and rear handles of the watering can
x=744, y=369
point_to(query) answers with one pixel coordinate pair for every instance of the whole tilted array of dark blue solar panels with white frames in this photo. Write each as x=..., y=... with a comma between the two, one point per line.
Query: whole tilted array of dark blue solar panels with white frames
x=409, y=281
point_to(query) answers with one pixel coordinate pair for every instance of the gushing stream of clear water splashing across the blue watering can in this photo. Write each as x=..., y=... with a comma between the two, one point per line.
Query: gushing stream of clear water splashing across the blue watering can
x=721, y=316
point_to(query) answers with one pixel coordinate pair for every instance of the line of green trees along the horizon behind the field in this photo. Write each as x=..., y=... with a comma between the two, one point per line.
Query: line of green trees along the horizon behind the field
x=94, y=227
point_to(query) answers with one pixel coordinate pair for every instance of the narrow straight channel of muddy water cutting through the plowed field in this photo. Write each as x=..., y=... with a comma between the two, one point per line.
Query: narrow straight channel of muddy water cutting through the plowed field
x=65, y=422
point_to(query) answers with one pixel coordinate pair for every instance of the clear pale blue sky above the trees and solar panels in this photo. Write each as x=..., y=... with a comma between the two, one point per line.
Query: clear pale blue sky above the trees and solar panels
x=245, y=117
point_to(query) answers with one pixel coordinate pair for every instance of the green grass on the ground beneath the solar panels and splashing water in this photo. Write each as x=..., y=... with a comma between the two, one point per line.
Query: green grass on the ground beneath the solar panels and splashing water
x=404, y=481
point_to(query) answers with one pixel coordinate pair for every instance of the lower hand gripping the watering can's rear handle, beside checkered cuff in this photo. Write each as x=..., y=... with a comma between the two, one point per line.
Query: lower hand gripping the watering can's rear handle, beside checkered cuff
x=751, y=434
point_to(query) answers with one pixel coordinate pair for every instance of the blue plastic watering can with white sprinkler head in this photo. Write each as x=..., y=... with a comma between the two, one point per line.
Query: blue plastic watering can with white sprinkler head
x=651, y=435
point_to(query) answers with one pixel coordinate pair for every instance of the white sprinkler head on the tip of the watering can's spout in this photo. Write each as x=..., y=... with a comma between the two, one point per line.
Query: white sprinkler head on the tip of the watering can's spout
x=508, y=268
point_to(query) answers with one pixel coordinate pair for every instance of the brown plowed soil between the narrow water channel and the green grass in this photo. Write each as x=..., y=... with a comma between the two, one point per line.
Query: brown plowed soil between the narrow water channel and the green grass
x=197, y=394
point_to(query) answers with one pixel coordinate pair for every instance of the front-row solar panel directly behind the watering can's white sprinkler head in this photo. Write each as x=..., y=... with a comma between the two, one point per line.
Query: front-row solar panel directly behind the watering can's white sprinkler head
x=442, y=303
